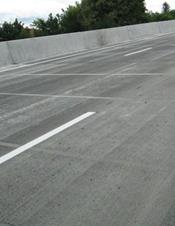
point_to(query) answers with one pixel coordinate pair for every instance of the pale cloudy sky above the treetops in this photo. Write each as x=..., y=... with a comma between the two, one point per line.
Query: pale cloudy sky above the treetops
x=28, y=10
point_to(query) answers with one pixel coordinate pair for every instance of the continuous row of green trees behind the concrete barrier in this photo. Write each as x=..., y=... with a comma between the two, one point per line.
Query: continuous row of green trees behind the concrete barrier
x=87, y=15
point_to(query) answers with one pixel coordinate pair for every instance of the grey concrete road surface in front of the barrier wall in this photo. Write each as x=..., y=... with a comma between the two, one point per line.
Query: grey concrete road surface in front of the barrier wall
x=114, y=168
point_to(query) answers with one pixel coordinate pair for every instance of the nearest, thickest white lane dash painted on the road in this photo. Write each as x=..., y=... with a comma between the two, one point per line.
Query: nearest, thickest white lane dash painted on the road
x=44, y=137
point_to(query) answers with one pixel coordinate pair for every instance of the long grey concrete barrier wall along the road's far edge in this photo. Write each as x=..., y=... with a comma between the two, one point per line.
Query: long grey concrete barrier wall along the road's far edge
x=27, y=50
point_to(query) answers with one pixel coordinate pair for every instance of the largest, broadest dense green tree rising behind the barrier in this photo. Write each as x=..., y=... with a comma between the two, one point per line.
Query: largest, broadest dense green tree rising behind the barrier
x=109, y=13
